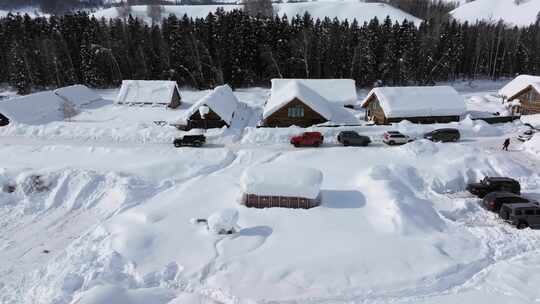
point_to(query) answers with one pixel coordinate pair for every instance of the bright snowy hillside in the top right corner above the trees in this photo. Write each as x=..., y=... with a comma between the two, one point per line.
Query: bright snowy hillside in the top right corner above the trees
x=520, y=13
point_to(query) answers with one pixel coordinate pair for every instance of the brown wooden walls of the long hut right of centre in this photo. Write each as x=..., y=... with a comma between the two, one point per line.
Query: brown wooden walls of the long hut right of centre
x=375, y=113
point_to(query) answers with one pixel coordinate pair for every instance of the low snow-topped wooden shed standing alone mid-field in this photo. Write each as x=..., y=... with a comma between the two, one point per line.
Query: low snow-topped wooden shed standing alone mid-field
x=285, y=186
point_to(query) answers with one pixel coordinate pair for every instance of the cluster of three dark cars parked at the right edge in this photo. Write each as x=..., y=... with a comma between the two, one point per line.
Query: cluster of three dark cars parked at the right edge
x=503, y=196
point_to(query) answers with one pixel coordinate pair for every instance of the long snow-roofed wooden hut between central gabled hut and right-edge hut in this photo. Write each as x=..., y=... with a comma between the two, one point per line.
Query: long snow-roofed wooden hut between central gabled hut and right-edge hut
x=439, y=104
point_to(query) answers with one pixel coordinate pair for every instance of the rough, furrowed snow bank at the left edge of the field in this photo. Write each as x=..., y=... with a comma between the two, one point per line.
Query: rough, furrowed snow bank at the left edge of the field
x=73, y=189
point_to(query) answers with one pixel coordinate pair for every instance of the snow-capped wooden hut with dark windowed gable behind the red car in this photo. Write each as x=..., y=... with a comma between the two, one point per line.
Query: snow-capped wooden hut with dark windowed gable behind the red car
x=296, y=104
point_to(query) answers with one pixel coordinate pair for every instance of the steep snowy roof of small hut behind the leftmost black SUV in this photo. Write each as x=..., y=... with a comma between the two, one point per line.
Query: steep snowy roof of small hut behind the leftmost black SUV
x=221, y=100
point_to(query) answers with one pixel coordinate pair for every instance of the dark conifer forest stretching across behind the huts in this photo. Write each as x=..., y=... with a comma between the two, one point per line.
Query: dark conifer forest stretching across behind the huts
x=231, y=47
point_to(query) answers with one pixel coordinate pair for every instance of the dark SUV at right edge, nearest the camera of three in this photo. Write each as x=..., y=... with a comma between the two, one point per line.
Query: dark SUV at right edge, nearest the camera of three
x=521, y=215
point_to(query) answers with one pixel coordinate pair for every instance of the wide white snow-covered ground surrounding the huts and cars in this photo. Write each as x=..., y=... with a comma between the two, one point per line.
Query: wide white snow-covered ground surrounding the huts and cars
x=109, y=220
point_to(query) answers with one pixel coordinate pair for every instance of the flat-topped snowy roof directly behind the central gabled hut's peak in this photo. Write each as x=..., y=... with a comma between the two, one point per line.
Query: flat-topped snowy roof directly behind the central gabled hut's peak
x=341, y=91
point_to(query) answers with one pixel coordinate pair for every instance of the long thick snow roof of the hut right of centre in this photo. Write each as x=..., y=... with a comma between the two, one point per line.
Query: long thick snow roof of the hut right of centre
x=418, y=101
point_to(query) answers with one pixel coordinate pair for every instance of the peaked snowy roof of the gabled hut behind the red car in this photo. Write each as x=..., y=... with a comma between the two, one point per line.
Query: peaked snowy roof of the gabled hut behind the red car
x=296, y=89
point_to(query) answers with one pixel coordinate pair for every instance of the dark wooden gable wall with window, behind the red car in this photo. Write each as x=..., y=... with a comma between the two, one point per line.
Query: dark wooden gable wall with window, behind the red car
x=281, y=117
